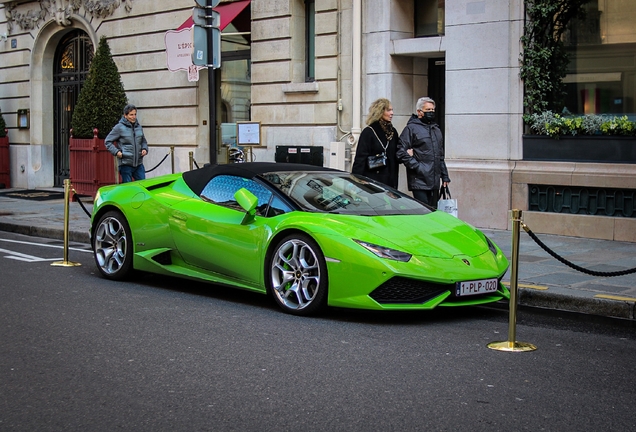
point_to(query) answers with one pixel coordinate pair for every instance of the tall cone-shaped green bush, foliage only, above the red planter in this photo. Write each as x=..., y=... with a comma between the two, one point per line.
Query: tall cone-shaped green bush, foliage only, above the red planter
x=102, y=98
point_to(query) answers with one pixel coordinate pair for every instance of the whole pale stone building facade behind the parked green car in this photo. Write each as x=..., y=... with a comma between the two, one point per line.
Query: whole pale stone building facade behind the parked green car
x=305, y=71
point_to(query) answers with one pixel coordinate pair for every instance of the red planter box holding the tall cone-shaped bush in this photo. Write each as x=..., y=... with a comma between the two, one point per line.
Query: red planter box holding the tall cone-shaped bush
x=92, y=165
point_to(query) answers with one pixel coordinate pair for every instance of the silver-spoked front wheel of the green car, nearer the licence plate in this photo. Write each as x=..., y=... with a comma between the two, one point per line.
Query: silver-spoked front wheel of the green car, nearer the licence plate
x=298, y=275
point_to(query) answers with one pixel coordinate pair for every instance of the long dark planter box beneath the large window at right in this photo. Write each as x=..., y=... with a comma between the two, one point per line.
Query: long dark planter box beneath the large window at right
x=600, y=149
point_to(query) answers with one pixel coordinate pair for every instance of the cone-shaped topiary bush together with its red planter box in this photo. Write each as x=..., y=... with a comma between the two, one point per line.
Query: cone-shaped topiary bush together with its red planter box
x=99, y=108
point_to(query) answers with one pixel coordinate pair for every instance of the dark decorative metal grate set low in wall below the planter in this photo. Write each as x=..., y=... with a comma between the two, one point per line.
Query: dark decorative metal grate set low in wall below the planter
x=582, y=200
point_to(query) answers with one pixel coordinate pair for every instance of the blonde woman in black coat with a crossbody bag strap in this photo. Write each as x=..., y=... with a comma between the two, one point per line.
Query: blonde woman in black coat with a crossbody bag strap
x=378, y=137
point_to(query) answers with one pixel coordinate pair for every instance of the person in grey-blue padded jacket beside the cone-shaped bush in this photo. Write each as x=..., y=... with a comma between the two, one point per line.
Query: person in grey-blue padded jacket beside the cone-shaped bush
x=128, y=142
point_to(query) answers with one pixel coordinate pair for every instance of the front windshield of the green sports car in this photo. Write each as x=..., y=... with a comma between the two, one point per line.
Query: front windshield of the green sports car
x=343, y=193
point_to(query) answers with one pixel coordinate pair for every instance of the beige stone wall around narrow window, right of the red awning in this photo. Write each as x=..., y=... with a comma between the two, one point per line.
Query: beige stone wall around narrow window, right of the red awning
x=292, y=111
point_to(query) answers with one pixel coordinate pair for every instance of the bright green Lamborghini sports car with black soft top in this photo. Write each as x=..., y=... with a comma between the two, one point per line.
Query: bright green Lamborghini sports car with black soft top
x=308, y=236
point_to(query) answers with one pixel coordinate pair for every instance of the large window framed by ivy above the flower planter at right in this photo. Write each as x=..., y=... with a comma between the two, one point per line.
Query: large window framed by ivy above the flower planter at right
x=602, y=72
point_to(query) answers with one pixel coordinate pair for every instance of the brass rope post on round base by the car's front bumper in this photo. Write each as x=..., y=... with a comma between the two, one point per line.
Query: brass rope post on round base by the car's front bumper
x=511, y=344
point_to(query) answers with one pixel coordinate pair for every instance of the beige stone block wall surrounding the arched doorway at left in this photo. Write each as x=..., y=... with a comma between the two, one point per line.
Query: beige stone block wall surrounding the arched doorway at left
x=167, y=102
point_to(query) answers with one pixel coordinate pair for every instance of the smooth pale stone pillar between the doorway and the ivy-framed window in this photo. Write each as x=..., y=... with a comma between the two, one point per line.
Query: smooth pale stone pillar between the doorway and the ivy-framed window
x=483, y=106
